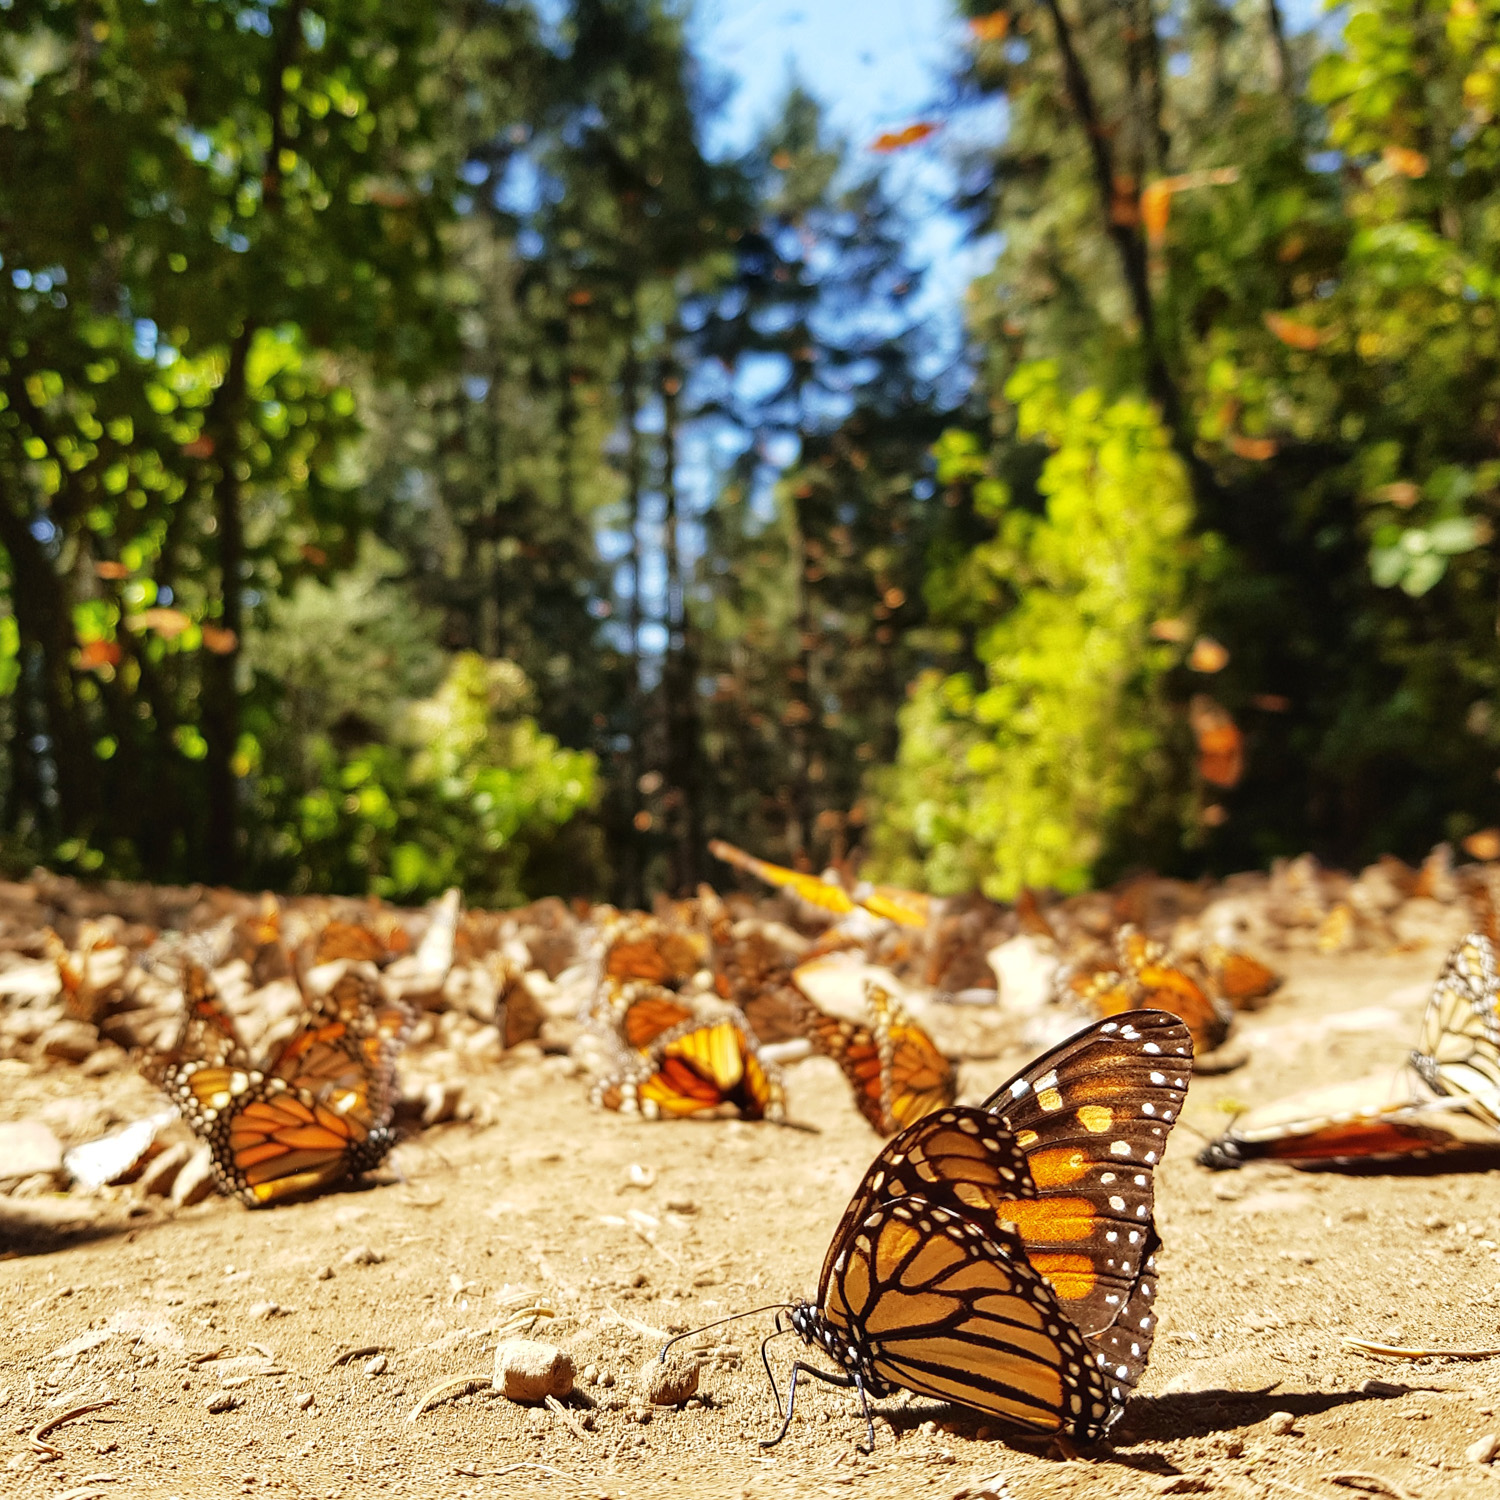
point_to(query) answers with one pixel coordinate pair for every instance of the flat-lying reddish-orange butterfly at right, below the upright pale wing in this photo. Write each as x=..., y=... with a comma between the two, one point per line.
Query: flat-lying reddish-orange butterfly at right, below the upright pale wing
x=1387, y=1117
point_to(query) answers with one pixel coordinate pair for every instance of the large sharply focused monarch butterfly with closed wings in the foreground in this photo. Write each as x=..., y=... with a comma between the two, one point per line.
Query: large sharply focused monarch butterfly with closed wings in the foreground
x=1003, y=1258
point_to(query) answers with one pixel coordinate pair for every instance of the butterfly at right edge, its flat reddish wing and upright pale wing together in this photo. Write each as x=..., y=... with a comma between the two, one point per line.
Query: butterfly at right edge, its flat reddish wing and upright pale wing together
x=1447, y=1099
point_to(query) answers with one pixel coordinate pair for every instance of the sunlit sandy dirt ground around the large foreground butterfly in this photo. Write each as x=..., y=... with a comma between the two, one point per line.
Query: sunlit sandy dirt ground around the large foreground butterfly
x=166, y=1315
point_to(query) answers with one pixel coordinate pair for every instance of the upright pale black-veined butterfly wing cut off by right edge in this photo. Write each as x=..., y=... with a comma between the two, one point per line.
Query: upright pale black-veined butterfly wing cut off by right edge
x=1459, y=1048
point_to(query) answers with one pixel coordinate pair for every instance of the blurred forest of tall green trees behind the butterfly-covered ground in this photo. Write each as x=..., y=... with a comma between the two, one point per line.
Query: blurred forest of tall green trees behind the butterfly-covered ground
x=422, y=461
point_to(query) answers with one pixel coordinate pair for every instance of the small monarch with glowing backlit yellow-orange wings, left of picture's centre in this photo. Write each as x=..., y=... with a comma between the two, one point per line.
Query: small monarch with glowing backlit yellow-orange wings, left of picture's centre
x=698, y=1067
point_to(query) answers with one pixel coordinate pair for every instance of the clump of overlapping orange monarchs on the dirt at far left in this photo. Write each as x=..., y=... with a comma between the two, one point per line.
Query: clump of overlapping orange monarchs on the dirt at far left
x=319, y=1111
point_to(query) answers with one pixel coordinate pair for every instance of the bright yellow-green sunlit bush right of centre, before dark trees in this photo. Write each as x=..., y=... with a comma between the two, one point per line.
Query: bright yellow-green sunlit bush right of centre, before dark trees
x=1025, y=775
